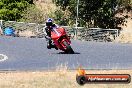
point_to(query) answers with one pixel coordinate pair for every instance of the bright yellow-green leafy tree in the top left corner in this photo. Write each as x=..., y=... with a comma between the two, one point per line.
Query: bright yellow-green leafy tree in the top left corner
x=12, y=9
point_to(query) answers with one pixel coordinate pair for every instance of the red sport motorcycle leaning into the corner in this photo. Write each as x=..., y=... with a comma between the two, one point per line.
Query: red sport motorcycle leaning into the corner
x=61, y=40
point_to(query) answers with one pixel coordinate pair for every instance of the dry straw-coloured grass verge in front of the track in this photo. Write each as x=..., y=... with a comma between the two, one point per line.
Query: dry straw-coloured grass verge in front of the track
x=55, y=79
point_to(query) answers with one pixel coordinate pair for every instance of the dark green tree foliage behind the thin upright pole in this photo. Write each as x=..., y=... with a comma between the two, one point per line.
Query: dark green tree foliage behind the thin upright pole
x=99, y=13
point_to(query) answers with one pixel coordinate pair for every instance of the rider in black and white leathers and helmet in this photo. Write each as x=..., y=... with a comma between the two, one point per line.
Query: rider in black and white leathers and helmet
x=50, y=26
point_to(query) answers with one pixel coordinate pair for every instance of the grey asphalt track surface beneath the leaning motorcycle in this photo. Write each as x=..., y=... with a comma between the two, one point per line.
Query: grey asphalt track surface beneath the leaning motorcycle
x=32, y=54
